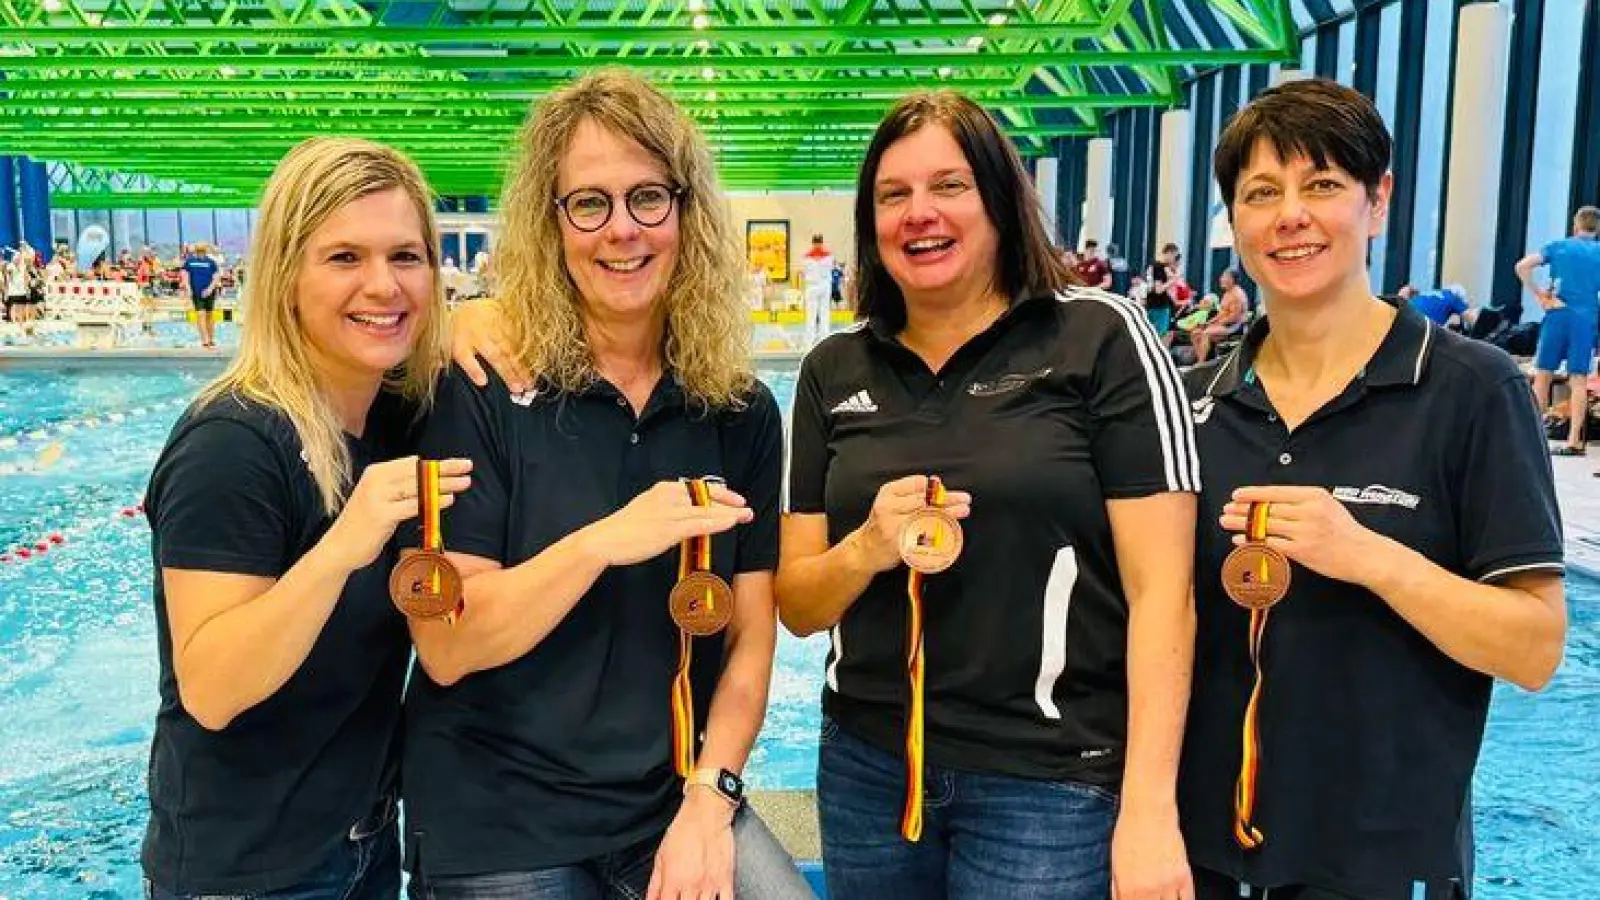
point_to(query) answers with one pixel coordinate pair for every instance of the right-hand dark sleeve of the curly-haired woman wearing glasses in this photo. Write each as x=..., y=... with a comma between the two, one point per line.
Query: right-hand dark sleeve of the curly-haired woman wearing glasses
x=761, y=441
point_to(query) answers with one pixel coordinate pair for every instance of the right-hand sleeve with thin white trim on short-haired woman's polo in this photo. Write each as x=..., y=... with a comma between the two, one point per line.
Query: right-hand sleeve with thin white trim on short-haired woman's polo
x=1508, y=518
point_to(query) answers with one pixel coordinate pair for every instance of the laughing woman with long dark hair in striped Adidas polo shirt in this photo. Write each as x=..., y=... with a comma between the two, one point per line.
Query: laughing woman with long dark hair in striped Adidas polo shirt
x=993, y=741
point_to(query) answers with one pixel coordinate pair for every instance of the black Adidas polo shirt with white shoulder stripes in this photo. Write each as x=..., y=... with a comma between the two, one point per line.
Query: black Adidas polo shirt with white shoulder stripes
x=1058, y=408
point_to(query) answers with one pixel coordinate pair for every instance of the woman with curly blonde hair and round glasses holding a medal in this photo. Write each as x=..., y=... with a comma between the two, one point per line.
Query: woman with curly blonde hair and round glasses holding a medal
x=553, y=745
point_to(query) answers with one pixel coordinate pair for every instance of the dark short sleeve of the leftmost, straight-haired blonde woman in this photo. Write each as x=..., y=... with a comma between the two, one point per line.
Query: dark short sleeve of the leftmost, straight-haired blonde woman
x=222, y=502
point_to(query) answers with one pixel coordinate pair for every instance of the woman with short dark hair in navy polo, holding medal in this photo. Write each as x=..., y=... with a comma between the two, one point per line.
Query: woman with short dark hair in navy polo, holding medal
x=1388, y=483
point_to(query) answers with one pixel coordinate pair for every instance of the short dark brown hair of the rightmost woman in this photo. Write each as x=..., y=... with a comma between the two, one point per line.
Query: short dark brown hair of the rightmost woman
x=1318, y=119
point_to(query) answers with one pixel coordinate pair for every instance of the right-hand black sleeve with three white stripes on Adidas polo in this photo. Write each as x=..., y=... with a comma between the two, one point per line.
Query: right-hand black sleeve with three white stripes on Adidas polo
x=1143, y=440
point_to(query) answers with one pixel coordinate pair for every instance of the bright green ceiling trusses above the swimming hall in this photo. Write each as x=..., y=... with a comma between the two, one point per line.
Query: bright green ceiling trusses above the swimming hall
x=190, y=103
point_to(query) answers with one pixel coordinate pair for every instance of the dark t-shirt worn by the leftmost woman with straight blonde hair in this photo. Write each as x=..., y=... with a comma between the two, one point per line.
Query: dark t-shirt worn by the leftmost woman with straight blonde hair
x=262, y=803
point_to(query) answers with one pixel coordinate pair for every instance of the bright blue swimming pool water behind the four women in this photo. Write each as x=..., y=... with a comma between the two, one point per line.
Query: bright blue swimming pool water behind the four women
x=78, y=665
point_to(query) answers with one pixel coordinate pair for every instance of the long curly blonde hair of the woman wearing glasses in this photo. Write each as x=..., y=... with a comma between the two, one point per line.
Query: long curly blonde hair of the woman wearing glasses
x=708, y=329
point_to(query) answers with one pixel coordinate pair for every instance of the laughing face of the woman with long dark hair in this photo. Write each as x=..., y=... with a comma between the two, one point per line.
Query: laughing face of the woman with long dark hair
x=934, y=233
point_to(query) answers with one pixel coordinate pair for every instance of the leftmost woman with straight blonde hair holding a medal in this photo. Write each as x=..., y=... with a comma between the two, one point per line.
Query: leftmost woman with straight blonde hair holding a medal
x=273, y=505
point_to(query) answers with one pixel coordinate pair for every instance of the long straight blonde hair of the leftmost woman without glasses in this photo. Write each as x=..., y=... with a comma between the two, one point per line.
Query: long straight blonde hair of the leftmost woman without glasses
x=274, y=363
